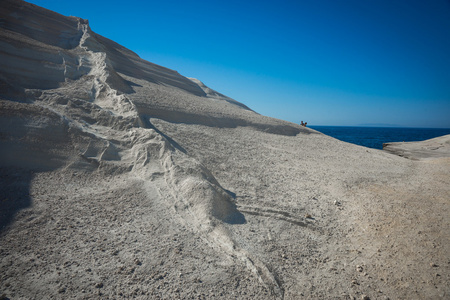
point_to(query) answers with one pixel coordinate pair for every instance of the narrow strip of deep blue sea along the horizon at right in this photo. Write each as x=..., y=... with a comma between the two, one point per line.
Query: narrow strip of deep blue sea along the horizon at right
x=374, y=137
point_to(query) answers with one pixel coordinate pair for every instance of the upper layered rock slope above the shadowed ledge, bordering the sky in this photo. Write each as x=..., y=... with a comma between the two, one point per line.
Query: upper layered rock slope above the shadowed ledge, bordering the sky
x=40, y=49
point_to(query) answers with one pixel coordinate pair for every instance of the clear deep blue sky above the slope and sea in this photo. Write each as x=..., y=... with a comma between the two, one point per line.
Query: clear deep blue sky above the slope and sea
x=331, y=62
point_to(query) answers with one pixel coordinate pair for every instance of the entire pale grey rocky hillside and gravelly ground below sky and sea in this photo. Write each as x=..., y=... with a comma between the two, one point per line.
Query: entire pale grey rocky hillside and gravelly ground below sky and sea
x=123, y=179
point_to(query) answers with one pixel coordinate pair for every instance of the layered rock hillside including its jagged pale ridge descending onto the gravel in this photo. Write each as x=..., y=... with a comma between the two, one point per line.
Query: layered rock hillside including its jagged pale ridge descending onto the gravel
x=94, y=98
